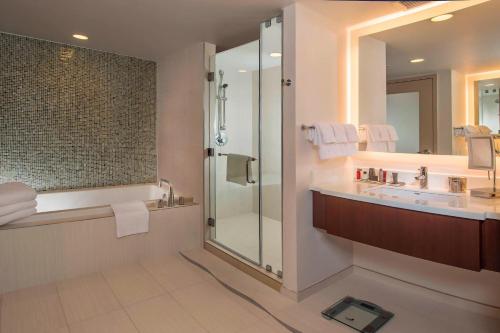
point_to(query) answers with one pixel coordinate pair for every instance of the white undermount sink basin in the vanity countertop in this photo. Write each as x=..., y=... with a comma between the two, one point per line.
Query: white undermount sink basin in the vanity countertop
x=411, y=194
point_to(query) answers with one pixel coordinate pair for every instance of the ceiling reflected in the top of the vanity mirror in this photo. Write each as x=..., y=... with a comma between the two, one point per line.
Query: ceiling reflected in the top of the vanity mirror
x=469, y=43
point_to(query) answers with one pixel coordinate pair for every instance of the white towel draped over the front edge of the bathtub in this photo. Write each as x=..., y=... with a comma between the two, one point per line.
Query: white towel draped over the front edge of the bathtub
x=131, y=218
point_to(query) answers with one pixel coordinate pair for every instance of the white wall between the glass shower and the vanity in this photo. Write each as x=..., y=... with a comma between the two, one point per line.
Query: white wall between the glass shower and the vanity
x=310, y=61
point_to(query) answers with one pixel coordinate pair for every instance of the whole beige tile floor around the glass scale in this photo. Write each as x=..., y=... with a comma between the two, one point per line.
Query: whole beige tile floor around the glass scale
x=171, y=295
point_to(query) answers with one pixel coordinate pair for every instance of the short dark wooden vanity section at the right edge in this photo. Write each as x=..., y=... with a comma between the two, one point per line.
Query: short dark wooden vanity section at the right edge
x=490, y=245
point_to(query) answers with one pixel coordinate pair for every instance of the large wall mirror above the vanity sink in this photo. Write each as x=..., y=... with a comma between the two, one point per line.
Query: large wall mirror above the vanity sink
x=435, y=80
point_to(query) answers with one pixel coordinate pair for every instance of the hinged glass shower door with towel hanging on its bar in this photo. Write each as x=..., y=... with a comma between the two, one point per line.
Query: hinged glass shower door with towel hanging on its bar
x=235, y=164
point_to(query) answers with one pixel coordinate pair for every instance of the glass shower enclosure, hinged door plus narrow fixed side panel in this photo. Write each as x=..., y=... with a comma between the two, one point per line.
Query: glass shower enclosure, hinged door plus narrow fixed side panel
x=244, y=205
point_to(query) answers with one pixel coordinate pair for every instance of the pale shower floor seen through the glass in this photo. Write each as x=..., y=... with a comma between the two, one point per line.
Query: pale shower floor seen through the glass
x=241, y=234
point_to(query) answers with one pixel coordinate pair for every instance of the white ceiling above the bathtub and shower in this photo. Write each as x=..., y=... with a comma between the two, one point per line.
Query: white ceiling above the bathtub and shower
x=146, y=29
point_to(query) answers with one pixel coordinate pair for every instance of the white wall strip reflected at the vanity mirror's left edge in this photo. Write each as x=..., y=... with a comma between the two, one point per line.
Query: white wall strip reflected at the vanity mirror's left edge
x=372, y=81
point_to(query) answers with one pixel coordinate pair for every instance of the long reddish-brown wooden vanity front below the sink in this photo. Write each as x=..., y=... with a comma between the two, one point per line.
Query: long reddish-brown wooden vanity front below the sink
x=444, y=239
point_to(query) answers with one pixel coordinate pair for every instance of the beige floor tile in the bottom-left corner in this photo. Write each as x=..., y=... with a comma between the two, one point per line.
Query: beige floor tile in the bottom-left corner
x=36, y=309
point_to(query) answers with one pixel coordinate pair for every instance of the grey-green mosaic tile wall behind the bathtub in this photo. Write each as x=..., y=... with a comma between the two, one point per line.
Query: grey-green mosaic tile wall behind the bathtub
x=72, y=117
